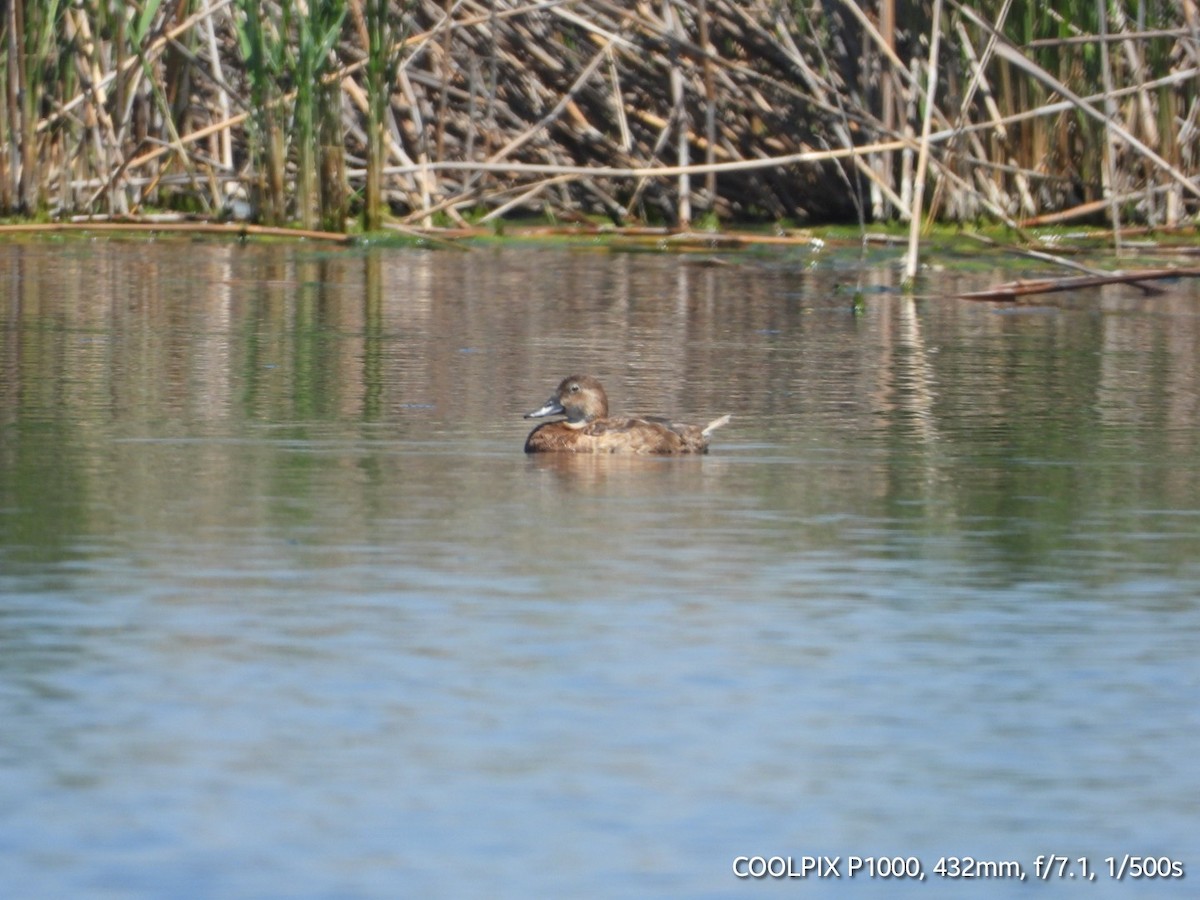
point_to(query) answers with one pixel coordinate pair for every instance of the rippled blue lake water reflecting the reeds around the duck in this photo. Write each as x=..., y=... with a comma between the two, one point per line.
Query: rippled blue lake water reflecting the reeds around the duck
x=286, y=611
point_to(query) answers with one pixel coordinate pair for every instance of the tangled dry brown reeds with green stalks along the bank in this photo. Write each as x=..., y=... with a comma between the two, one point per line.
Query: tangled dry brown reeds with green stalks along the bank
x=442, y=111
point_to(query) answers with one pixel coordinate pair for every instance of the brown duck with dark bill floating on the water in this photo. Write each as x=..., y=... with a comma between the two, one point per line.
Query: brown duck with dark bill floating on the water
x=589, y=429
